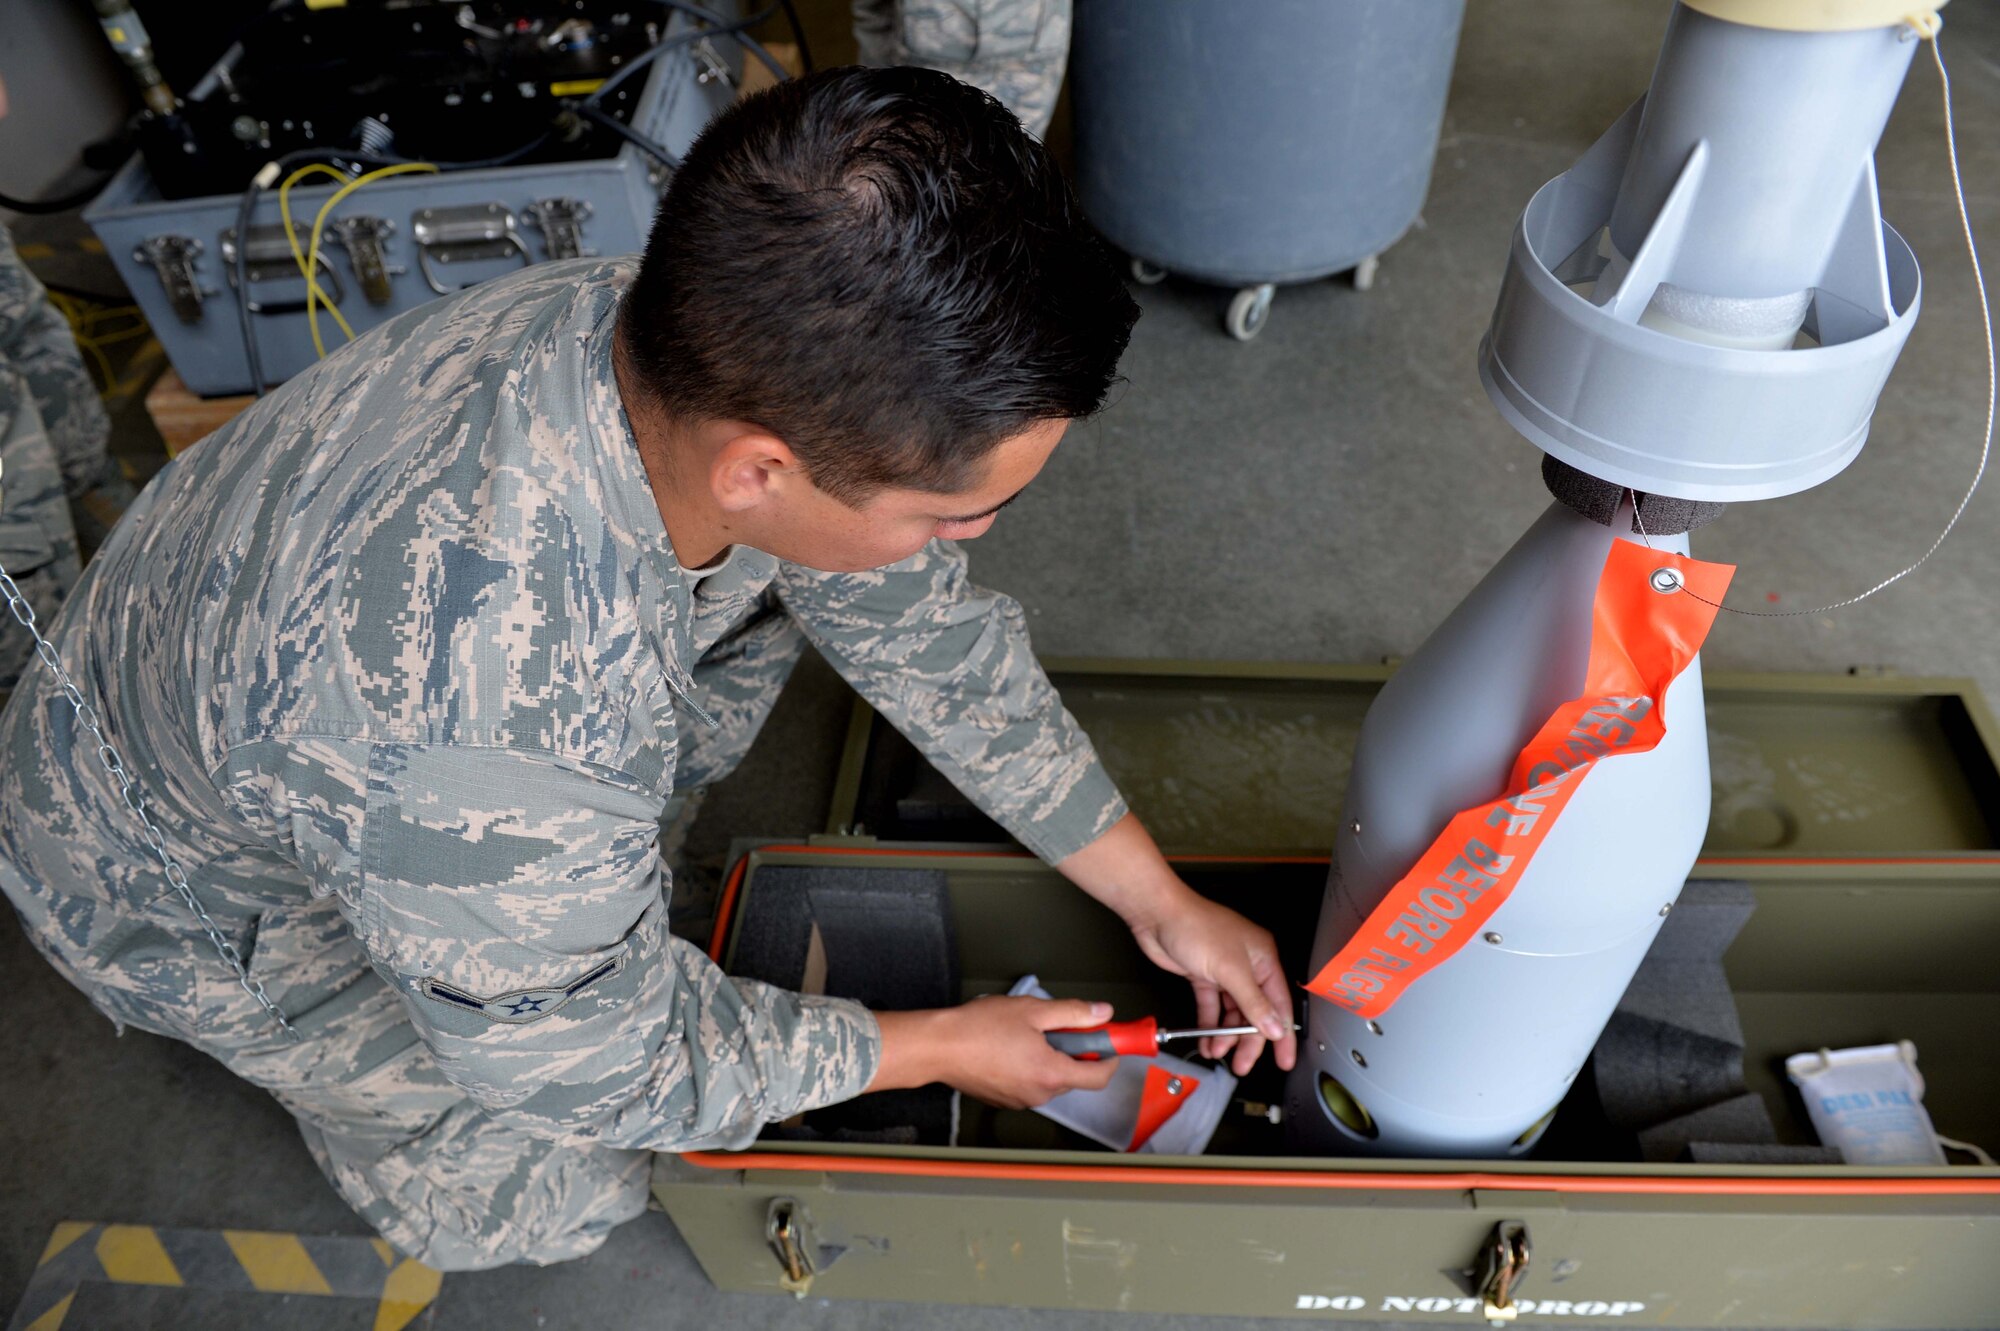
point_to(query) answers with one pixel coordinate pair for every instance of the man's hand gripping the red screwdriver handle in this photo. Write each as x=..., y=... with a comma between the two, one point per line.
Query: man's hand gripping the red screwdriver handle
x=993, y=1050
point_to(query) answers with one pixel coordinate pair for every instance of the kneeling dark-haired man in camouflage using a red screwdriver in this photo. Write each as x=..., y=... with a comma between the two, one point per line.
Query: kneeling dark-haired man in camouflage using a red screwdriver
x=411, y=674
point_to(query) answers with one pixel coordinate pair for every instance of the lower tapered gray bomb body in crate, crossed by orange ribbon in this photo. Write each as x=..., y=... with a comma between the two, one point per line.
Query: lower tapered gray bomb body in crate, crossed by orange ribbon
x=1487, y=1044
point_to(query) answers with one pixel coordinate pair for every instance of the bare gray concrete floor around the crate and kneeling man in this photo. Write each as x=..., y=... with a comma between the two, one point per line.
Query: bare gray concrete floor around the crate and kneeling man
x=1323, y=495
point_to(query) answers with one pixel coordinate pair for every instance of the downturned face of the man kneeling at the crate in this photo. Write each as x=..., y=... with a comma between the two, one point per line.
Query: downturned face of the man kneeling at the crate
x=893, y=525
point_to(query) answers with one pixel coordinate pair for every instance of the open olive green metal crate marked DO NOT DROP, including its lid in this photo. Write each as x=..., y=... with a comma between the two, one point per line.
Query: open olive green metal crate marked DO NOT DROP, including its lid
x=1879, y=904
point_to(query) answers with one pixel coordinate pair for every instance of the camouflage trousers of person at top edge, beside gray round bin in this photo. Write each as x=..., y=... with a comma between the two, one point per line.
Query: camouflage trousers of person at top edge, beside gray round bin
x=1011, y=49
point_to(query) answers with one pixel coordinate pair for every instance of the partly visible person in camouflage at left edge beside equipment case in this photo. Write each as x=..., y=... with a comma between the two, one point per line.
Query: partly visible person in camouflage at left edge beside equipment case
x=53, y=435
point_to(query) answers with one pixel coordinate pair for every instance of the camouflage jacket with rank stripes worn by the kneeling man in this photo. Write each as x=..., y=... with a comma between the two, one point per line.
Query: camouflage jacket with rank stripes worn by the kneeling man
x=411, y=633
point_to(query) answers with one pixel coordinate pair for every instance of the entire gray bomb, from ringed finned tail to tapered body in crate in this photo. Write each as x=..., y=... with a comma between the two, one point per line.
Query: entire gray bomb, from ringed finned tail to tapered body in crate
x=1645, y=337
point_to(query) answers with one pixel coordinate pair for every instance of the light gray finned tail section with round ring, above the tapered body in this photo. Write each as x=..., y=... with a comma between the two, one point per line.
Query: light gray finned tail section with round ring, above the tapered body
x=1747, y=175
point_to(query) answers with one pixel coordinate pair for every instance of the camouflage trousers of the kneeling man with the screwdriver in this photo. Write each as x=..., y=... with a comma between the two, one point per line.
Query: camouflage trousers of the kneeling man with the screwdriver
x=433, y=1172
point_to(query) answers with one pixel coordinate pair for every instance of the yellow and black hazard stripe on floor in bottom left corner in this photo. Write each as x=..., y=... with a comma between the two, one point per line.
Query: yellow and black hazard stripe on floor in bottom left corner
x=229, y=1260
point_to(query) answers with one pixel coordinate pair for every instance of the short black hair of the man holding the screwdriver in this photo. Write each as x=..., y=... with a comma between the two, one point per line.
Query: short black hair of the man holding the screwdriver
x=885, y=271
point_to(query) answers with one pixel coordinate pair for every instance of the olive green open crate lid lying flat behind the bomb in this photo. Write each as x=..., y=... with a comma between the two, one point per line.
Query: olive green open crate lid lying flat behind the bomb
x=1253, y=758
